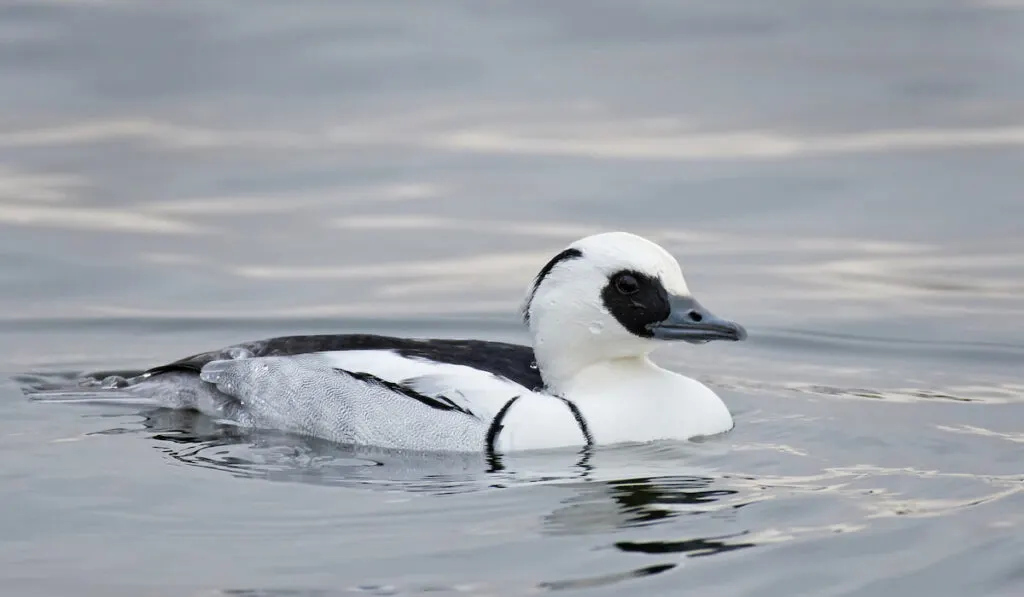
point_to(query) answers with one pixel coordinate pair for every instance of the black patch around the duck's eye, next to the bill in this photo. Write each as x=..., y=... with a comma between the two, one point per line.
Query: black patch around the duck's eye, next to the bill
x=646, y=303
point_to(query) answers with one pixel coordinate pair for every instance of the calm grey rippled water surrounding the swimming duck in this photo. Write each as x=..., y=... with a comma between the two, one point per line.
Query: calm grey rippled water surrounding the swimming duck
x=842, y=179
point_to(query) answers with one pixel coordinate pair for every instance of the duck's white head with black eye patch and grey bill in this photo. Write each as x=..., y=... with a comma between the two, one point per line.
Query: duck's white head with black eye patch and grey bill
x=613, y=296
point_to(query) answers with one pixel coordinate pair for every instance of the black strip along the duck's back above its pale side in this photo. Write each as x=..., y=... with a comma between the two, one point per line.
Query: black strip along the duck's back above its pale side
x=513, y=362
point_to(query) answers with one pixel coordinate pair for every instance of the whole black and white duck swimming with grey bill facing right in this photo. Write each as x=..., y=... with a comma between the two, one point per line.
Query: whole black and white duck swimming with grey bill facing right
x=595, y=313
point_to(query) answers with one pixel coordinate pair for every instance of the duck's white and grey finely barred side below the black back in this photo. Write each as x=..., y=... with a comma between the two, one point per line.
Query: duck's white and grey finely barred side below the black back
x=366, y=397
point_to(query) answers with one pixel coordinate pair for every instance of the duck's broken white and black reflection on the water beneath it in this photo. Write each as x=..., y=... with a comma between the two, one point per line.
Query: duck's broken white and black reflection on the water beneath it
x=599, y=506
